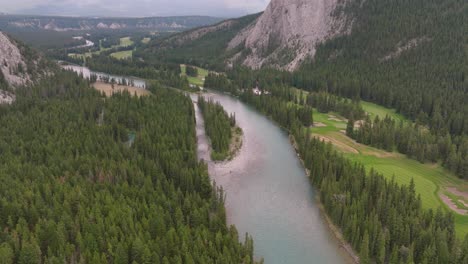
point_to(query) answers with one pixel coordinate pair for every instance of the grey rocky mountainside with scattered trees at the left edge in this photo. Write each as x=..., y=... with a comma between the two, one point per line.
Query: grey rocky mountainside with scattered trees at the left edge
x=19, y=65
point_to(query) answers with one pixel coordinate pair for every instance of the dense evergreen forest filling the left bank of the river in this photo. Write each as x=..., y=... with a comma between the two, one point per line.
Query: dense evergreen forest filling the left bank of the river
x=86, y=179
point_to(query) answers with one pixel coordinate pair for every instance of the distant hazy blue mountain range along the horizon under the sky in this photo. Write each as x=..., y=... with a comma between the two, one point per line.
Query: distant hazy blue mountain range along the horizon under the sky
x=56, y=23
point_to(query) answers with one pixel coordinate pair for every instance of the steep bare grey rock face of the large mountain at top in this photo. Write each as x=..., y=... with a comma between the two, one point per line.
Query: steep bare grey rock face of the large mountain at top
x=290, y=30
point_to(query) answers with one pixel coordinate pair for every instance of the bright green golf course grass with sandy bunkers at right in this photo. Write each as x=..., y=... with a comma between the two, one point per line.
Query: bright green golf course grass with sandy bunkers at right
x=431, y=179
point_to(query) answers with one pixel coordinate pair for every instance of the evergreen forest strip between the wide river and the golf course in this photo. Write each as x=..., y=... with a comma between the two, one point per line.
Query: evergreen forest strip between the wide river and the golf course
x=383, y=221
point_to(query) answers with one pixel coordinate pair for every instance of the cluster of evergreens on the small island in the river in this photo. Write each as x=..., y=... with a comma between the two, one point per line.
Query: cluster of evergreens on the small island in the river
x=219, y=127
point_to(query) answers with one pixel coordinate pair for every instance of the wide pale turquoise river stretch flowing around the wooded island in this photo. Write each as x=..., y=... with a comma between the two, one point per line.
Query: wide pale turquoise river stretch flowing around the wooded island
x=268, y=193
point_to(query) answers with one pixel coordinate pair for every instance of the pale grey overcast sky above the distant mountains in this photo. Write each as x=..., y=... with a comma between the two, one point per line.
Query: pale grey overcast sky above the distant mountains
x=134, y=8
